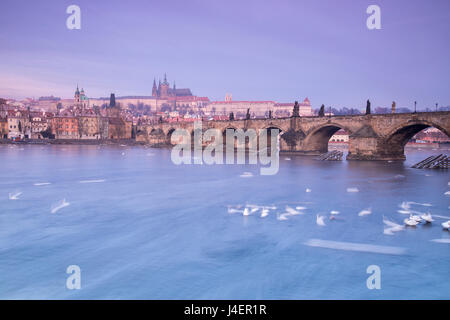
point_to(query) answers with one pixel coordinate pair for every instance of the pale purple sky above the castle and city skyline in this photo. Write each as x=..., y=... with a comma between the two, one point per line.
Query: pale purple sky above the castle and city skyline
x=257, y=50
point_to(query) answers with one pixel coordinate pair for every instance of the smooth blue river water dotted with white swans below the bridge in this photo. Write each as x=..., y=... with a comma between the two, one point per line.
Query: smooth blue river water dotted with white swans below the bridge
x=140, y=227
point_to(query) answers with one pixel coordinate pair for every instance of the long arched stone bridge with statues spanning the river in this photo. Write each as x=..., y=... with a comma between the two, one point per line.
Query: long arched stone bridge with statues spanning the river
x=371, y=137
